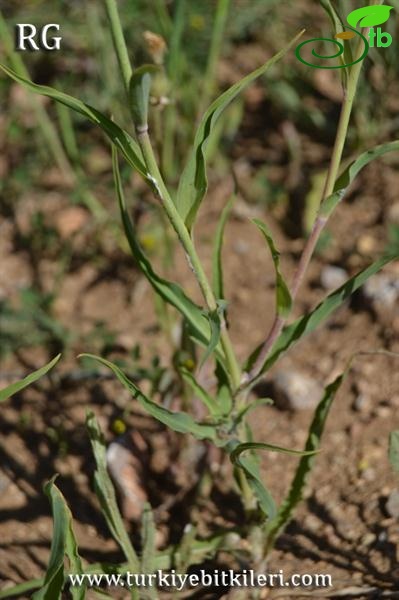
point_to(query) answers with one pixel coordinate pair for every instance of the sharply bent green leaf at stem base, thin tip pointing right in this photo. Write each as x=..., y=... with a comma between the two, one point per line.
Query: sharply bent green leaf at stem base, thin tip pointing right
x=251, y=468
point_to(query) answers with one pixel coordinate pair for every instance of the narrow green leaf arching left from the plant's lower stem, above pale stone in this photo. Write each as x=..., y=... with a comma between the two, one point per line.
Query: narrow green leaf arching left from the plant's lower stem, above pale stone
x=177, y=421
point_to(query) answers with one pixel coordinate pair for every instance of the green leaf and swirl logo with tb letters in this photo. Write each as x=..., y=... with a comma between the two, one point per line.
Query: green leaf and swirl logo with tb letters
x=368, y=16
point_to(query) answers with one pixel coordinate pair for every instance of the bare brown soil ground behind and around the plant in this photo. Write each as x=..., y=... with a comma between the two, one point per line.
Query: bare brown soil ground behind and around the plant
x=343, y=527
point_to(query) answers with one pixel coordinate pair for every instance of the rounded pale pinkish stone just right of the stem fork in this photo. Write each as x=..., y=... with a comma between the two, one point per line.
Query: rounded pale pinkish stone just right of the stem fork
x=296, y=391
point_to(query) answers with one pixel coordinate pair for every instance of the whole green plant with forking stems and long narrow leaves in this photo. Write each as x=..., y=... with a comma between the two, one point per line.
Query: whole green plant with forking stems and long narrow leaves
x=230, y=401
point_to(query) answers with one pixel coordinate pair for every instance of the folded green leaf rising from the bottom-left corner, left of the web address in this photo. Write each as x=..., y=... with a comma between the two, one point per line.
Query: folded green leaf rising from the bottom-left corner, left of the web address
x=63, y=544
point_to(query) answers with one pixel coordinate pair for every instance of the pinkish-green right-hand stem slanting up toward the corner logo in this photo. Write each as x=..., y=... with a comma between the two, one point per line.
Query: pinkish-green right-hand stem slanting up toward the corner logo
x=319, y=224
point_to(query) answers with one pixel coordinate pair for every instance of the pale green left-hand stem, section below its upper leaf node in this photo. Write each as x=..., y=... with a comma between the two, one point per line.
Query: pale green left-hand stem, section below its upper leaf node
x=189, y=248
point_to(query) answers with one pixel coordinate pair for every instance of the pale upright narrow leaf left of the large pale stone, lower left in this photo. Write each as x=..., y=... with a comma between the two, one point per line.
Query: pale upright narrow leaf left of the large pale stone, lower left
x=106, y=494
